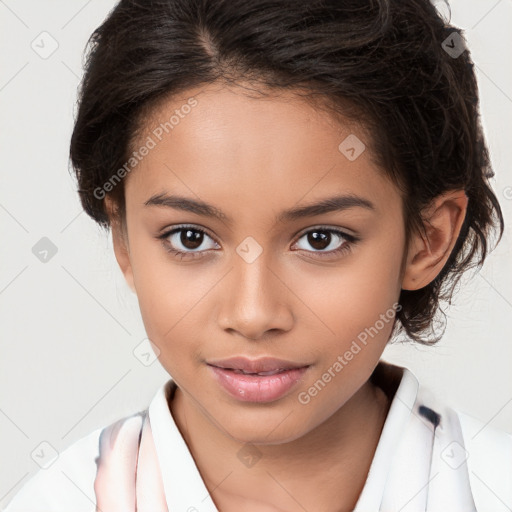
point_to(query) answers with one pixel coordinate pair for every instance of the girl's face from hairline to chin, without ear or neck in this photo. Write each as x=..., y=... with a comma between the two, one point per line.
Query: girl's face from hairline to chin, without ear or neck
x=317, y=289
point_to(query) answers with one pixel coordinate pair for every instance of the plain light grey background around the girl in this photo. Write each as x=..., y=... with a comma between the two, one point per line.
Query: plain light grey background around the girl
x=69, y=326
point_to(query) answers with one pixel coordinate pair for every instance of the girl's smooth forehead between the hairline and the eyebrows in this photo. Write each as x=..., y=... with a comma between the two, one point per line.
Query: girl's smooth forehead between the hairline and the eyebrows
x=215, y=142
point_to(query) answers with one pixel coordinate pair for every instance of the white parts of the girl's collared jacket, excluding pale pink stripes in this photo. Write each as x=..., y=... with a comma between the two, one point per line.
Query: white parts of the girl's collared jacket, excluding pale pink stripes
x=429, y=458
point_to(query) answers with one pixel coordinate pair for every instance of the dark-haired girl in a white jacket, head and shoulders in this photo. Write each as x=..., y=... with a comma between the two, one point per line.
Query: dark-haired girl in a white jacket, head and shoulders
x=290, y=185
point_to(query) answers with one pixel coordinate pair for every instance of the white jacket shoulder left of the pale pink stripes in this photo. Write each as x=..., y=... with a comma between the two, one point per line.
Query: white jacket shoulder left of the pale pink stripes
x=68, y=483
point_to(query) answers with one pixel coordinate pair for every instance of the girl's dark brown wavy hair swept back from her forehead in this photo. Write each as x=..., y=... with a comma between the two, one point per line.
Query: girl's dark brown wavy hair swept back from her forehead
x=381, y=63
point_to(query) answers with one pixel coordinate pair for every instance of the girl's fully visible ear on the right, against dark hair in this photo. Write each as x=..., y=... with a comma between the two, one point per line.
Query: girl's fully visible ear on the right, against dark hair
x=427, y=256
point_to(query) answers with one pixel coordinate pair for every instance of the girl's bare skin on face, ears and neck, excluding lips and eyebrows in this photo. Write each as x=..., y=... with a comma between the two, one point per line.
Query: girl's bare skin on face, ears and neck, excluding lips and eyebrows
x=253, y=158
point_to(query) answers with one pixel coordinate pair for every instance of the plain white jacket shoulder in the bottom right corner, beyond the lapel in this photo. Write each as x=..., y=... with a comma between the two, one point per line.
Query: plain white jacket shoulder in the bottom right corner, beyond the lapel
x=489, y=461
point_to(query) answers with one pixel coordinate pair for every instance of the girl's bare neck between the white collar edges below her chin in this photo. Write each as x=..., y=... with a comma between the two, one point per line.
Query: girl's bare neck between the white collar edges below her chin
x=324, y=470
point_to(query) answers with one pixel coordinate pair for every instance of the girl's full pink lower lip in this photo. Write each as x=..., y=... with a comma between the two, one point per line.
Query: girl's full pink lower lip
x=257, y=388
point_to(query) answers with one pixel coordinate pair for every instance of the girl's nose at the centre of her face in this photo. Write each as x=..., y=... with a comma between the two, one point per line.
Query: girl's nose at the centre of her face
x=255, y=299
